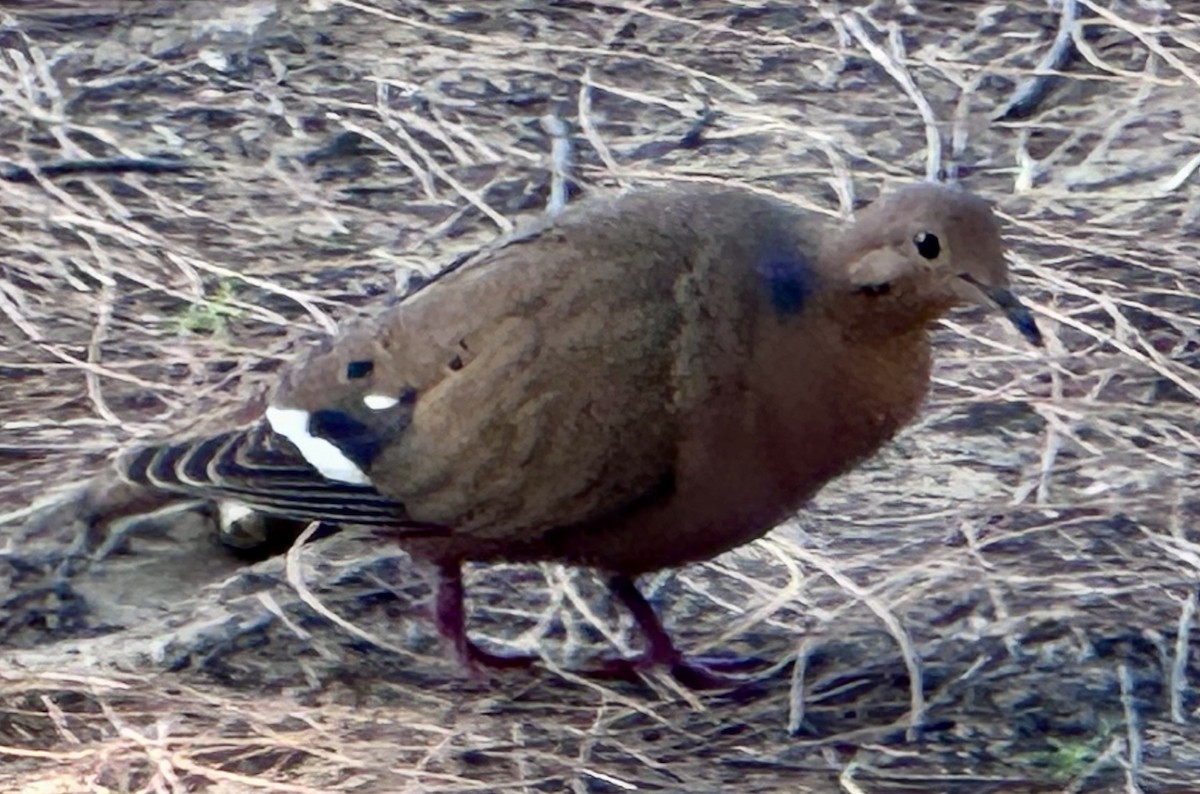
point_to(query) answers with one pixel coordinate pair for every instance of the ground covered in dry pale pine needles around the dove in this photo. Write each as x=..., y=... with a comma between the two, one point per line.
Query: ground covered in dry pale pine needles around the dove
x=1004, y=600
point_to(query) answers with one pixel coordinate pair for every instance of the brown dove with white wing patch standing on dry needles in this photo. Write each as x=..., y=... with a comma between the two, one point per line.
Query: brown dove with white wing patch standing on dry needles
x=644, y=382
